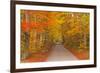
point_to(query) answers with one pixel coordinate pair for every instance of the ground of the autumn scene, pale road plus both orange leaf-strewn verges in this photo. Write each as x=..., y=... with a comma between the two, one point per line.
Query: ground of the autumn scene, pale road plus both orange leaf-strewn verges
x=59, y=53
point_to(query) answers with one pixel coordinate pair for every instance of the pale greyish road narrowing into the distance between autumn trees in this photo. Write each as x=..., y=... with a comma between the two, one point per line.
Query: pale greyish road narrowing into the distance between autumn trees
x=59, y=53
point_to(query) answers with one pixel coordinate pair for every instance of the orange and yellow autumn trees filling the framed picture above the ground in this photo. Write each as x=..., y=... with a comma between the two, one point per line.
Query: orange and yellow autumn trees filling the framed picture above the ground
x=42, y=29
